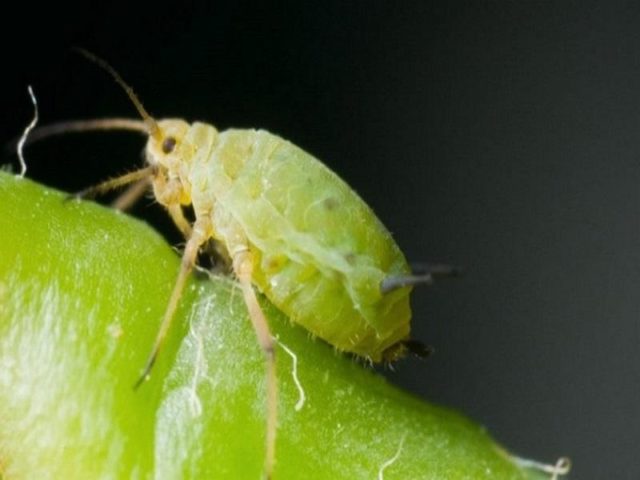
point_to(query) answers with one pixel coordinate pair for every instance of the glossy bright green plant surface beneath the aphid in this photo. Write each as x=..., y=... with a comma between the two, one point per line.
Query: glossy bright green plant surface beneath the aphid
x=82, y=291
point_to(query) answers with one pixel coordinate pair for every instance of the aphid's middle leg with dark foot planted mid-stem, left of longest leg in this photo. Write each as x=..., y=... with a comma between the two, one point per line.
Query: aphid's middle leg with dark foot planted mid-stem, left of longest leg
x=189, y=256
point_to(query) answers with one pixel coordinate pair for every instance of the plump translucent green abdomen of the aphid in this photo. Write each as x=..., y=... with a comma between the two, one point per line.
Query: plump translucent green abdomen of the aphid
x=320, y=252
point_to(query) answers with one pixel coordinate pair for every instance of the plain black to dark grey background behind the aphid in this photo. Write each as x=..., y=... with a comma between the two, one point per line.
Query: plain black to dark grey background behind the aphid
x=500, y=136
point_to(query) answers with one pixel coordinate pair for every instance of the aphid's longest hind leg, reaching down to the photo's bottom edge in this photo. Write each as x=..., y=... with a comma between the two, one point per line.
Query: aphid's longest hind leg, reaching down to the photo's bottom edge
x=243, y=268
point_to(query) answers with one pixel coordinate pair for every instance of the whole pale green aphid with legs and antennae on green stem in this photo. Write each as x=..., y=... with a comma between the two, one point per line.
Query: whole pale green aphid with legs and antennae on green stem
x=285, y=223
